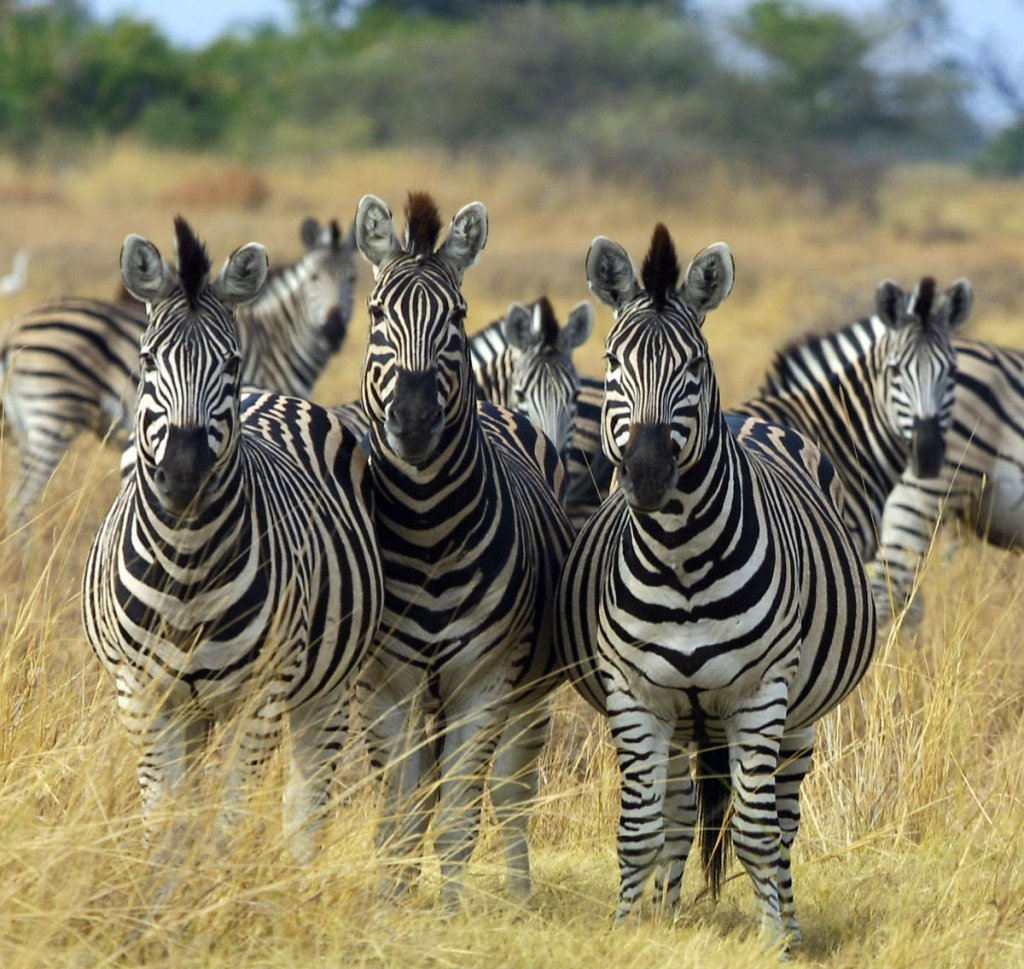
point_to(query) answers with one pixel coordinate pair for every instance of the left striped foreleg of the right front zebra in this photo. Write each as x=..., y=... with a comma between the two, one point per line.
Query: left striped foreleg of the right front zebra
x=642, y=742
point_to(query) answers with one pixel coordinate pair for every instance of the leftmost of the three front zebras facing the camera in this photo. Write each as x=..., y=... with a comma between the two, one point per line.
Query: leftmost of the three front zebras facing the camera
x=236, y=577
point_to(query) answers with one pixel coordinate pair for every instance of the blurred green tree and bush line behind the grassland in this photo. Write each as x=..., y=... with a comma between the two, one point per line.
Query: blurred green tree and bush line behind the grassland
x=647, y=88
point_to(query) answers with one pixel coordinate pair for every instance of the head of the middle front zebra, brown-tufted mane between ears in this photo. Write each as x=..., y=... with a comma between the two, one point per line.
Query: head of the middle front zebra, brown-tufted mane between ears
x=416, y=376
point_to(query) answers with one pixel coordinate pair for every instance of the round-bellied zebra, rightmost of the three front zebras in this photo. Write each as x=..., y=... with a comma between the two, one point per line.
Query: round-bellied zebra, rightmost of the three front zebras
x=715, y=600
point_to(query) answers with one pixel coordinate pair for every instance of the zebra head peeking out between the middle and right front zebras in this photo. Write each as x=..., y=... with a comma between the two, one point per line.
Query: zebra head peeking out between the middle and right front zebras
x=544, y=382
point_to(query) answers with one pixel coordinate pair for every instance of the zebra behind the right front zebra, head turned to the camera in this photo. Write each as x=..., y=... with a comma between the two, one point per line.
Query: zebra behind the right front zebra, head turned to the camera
x=877, y=397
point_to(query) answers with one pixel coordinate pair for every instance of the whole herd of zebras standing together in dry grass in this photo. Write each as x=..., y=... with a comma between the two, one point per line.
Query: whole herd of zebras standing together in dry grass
x=485, y=526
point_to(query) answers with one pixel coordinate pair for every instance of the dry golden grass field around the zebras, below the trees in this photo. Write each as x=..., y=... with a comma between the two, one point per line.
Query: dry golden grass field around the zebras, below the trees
x=912, y=851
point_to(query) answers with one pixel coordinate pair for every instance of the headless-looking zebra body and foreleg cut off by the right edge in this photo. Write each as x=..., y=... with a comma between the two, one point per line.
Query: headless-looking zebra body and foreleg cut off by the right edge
x=983, y=478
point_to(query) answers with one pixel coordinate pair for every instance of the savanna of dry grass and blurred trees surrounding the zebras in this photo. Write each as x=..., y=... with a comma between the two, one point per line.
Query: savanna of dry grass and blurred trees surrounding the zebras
x=799, y=143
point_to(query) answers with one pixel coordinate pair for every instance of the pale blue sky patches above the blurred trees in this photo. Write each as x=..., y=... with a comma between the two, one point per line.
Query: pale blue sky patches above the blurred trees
x=198, y=23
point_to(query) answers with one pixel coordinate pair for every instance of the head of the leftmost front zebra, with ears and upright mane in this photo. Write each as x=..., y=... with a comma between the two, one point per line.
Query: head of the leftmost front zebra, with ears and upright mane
x=187, y=420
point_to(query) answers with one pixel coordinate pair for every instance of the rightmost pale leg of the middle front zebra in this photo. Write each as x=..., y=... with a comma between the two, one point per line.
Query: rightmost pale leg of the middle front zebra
x=514, y=788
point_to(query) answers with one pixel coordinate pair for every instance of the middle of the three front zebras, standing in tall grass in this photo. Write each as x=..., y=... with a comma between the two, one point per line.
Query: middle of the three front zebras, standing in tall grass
x=473, y=539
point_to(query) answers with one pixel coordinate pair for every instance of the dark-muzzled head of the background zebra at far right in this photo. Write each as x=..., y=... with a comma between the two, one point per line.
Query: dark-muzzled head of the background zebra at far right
x=920, y=365
